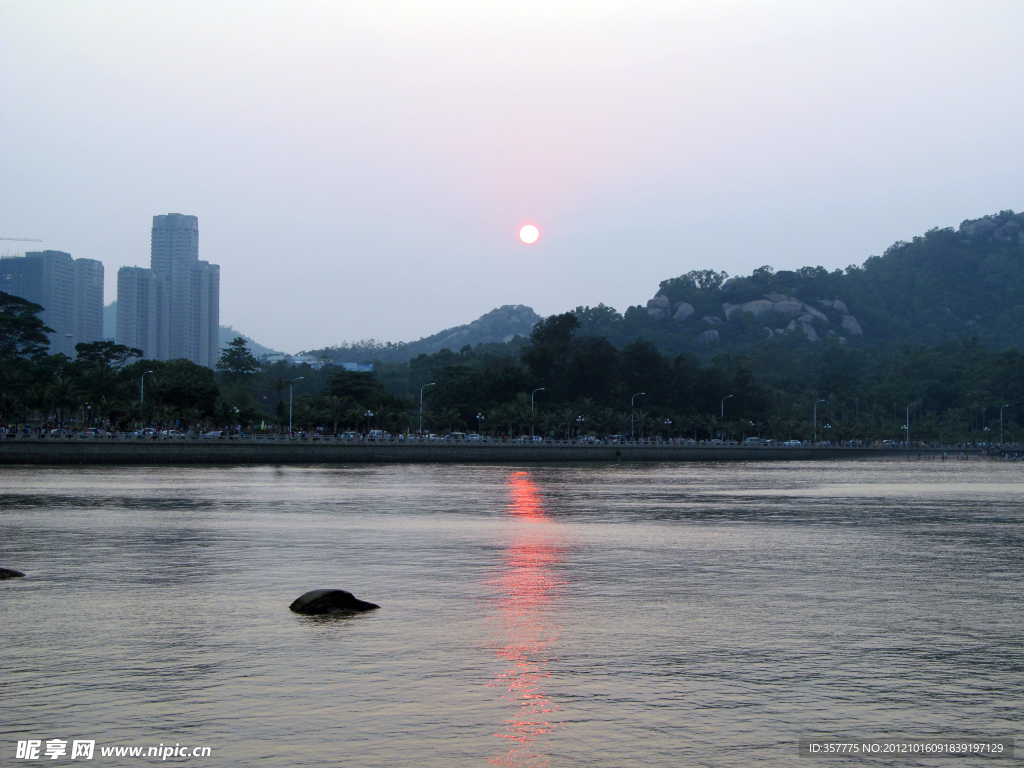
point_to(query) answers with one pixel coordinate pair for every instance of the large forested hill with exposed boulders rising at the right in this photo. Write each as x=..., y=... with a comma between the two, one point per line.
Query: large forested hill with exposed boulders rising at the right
x=943, y=286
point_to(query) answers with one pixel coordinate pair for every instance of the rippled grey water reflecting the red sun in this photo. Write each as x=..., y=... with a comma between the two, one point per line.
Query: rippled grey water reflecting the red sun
x=660, y=616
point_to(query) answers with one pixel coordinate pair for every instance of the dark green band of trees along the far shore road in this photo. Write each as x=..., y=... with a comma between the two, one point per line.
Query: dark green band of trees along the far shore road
x=564, y=382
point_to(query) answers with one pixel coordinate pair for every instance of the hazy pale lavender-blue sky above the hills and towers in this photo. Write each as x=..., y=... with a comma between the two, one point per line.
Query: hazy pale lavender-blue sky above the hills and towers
x=362, y=169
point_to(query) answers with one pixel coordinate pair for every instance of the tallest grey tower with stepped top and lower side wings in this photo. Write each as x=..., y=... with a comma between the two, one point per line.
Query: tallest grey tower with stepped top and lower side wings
x=173, y=310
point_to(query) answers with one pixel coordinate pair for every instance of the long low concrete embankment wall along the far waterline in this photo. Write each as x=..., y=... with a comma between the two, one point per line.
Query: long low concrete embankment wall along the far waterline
x=172, y=452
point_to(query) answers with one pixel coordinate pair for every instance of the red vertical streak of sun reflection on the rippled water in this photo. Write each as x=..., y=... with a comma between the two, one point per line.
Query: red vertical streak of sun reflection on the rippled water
x=528, y=589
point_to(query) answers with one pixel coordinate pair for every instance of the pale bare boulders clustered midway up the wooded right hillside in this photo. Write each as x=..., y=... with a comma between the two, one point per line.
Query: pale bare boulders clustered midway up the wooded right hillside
x=801, y=316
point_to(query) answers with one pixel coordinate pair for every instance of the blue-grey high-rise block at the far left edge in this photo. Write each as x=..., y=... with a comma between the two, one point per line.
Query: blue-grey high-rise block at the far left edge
x=71, y=292
